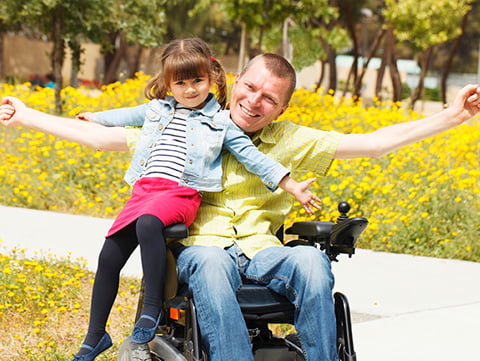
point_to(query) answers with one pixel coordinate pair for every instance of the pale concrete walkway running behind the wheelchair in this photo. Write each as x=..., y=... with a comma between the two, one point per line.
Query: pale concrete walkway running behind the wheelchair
x=404, y=308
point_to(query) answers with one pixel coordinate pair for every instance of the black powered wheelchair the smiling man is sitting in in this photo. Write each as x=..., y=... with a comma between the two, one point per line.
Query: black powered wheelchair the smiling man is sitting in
x=178, y=335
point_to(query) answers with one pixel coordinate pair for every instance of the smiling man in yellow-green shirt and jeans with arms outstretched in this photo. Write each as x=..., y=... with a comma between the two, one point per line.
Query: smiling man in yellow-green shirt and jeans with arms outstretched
x=232, y=239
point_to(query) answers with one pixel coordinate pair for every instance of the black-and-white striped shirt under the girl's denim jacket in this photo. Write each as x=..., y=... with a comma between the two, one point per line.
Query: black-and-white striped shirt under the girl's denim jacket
x=168, y=156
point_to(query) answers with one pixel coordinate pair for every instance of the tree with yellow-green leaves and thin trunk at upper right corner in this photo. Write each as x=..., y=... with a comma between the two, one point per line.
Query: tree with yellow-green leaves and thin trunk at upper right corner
x=424, y=25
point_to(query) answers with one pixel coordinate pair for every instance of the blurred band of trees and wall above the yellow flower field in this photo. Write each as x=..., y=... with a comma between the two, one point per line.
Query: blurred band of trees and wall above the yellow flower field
x=397, y=50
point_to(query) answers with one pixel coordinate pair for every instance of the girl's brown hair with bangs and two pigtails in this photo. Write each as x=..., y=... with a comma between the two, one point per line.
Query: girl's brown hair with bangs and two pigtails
x=186, y=59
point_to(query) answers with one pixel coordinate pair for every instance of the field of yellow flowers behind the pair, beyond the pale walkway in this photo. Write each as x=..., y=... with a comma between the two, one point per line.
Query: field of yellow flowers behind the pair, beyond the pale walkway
x=424, y=199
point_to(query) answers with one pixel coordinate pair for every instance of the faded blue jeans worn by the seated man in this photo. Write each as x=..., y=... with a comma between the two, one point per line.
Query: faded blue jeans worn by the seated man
x=303, y=274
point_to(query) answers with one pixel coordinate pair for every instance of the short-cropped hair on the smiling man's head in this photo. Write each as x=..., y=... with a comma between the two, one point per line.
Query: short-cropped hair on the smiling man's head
x=279, y=67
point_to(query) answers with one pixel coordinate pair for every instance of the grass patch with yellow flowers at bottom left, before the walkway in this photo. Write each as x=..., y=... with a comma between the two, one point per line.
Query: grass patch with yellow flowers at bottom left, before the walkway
x=44, y=307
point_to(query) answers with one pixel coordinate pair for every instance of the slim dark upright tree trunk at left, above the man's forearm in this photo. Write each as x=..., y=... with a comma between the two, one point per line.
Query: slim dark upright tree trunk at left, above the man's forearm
x=58, y=56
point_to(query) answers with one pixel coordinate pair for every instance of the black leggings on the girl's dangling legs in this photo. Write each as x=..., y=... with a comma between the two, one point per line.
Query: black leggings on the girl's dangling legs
x=147, y=232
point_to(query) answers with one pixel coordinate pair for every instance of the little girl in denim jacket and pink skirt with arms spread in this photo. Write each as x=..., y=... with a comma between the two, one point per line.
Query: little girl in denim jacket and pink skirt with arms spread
x=177, y=156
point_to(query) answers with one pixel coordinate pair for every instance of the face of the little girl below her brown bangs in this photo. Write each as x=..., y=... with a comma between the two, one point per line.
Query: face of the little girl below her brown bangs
x=191, y=93
